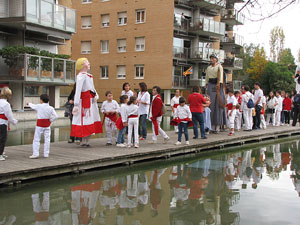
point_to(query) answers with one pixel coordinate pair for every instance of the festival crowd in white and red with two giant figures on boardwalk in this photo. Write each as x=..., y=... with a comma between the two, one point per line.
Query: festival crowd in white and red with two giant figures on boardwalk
x=218, y=109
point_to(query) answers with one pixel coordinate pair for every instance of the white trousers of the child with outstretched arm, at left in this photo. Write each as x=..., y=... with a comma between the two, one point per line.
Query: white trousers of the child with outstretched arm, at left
x=37, y=139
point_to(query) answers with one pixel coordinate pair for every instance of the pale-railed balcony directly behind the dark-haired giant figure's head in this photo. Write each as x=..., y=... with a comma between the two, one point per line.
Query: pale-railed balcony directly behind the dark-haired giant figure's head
x=203, y=53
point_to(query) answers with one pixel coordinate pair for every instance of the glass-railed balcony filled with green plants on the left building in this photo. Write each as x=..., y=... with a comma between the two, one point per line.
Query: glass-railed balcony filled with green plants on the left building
x=38, y=69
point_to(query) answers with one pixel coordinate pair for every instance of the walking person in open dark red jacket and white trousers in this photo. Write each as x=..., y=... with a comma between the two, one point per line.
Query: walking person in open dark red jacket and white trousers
x=155, y=116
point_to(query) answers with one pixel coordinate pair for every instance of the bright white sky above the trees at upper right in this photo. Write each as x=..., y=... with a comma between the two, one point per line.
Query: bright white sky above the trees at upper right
x=259, y=32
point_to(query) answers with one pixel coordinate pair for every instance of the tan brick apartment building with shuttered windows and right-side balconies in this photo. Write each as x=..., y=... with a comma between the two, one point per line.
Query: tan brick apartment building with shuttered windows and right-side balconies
x=152, y=41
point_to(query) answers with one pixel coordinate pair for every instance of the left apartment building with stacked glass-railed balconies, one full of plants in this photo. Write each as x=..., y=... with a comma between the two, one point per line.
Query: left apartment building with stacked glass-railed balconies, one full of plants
x=43, y=25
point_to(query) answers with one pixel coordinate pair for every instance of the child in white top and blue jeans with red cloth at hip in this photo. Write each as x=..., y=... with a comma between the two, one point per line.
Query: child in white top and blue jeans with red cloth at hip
x=122, y=122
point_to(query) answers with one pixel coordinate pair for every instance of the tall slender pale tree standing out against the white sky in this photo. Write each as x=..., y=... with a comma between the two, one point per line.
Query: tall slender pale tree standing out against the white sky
x=277, y=39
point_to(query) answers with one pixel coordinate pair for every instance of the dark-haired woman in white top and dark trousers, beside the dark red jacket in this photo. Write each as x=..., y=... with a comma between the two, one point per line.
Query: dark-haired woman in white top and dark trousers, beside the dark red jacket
x=143, y=101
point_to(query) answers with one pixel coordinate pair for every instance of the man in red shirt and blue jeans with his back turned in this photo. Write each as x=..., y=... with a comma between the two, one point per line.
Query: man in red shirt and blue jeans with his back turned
x=196, y=101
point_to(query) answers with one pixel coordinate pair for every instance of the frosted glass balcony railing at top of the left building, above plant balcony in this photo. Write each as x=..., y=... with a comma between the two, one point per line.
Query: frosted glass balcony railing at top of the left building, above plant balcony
x=41, y=12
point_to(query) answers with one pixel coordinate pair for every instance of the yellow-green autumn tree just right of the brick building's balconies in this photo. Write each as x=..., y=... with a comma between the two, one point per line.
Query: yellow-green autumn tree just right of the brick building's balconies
x=257, y=65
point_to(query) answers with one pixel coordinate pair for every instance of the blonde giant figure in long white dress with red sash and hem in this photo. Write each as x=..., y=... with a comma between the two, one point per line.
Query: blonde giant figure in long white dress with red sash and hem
x=86, y=119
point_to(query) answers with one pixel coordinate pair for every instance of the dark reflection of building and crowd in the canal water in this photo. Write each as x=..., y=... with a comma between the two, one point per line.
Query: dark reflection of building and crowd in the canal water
x=188, y=193
